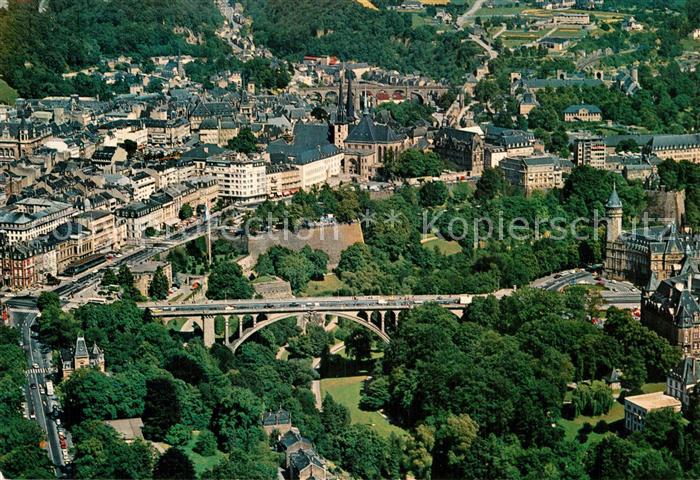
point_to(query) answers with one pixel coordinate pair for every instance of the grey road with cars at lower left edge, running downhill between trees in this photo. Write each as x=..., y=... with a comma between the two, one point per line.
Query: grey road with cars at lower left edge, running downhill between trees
x=37, y=364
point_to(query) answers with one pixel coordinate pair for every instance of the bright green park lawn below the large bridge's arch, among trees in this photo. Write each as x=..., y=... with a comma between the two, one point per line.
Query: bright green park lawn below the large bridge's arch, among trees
x=346, y=390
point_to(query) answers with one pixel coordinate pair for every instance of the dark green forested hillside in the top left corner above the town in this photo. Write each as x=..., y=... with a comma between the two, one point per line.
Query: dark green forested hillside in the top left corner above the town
x=36, y=48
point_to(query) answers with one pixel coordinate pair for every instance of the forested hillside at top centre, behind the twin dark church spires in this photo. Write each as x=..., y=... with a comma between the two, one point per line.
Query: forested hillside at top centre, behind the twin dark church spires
x=293, y=28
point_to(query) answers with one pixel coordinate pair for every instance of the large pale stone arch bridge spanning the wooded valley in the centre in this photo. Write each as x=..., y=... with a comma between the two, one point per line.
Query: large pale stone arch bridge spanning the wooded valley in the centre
x=378, y=314
